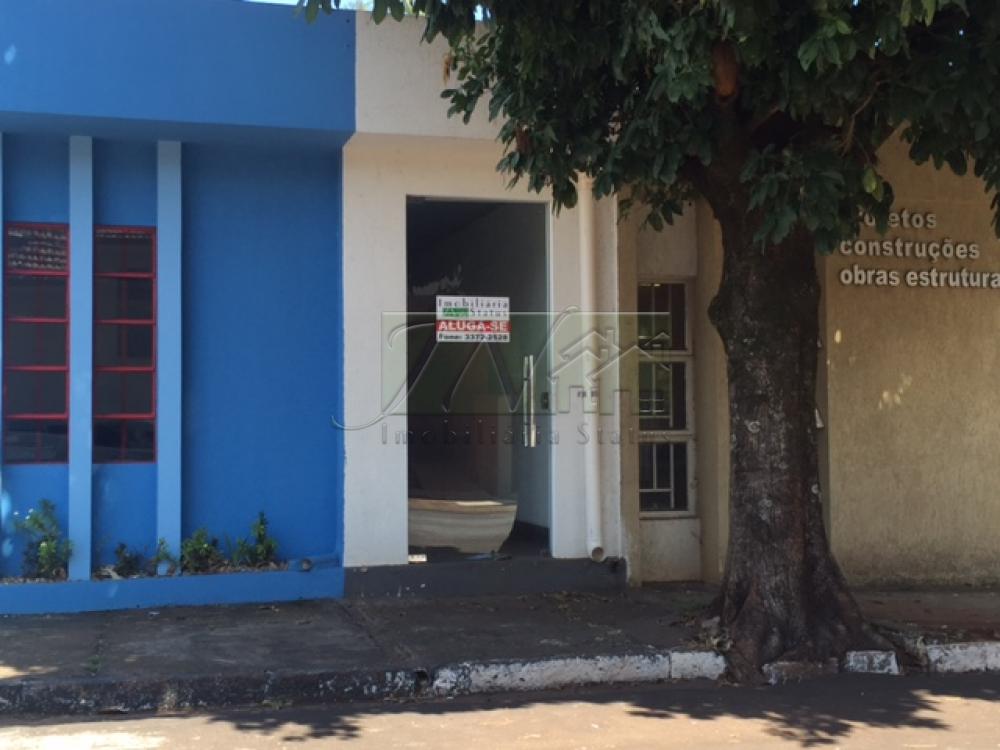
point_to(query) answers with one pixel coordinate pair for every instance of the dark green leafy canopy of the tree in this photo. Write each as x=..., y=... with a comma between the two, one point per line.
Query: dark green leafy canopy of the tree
x=660, y=97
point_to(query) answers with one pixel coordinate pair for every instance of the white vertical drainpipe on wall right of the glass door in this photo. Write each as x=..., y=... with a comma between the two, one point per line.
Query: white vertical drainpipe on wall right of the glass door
x=591, y=394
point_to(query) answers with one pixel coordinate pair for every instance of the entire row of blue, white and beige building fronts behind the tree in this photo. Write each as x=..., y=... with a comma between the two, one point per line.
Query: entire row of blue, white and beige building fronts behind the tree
x=251, y=266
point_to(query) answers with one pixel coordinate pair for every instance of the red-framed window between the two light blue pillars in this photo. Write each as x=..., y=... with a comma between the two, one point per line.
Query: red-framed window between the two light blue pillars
x=124, y=344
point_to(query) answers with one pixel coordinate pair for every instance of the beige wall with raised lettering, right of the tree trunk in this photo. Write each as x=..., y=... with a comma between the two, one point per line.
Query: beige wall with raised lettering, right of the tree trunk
x=913, y=419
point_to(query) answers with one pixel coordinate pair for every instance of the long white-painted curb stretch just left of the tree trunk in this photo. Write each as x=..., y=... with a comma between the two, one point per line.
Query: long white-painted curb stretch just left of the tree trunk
x=545, y=674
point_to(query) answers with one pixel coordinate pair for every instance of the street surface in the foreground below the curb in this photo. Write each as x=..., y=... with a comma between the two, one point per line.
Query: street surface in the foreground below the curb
x=842, y=712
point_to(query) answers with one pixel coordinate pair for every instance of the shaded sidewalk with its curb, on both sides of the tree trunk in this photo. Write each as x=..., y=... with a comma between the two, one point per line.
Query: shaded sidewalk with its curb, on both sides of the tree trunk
x=311, y=652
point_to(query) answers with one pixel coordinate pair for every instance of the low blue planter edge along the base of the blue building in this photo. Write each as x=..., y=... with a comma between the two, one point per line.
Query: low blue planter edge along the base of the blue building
x=232, y=588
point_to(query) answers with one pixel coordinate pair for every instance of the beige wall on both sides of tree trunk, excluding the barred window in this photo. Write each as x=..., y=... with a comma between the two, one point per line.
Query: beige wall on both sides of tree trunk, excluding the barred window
x=907, y=392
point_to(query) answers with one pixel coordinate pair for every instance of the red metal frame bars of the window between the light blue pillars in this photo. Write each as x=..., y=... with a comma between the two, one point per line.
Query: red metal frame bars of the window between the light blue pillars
x=123, y=415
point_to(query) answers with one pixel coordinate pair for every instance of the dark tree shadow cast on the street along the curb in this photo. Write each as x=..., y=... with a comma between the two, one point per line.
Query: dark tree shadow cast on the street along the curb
x=811, y=714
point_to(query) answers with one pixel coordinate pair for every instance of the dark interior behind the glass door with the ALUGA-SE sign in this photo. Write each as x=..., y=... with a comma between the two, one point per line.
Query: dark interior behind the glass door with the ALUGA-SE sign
x=452, y=250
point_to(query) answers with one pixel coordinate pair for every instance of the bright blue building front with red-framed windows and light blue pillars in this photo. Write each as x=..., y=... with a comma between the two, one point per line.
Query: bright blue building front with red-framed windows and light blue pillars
x=166, y=176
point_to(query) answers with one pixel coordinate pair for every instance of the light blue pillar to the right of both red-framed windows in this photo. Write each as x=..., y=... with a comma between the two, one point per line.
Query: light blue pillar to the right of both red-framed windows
x=169, y=210
